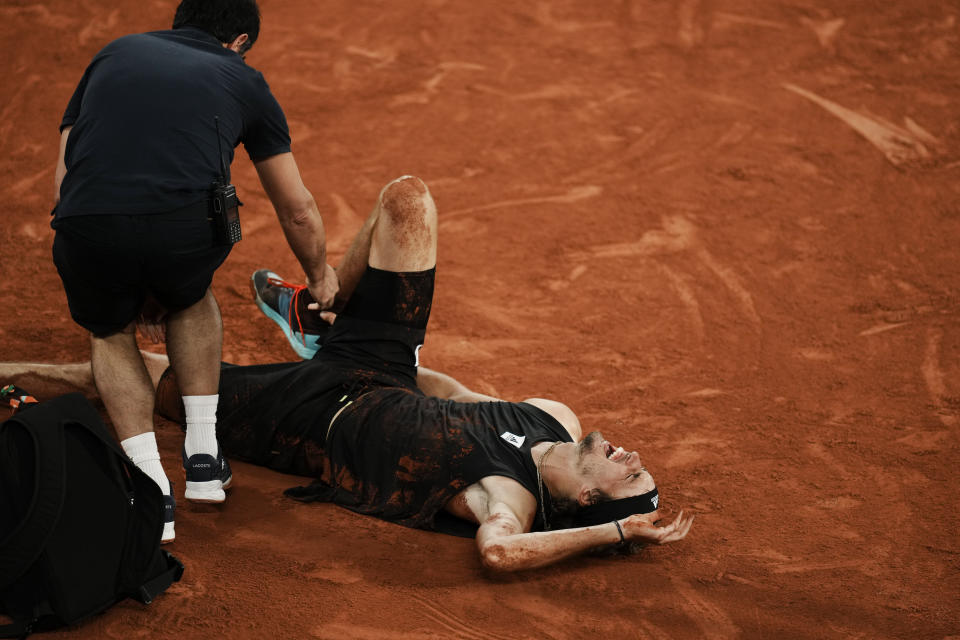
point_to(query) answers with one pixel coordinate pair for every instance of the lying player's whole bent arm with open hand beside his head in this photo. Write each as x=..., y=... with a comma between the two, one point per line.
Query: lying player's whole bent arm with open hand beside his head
x=506, y=544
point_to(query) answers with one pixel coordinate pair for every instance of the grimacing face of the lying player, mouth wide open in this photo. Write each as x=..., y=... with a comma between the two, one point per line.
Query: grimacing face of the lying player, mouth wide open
x=614, y=471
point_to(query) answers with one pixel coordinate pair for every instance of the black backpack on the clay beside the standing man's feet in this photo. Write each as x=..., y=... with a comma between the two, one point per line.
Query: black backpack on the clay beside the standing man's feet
x=80, y=524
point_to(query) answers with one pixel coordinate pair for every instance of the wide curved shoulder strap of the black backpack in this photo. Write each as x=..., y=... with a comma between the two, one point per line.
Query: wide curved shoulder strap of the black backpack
x=26, y=542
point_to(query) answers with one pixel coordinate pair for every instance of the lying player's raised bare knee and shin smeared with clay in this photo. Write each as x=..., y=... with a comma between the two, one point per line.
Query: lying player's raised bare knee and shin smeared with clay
x=399, y=235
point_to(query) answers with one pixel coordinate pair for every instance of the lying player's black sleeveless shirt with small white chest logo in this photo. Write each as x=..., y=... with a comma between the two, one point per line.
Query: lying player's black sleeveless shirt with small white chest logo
x=401, y=456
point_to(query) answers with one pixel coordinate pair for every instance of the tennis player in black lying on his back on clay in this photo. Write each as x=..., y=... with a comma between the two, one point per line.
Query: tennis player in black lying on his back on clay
x=387, y=438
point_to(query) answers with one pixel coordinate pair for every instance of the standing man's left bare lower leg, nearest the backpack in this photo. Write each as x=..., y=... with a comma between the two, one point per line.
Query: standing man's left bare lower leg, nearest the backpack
x=123, y=382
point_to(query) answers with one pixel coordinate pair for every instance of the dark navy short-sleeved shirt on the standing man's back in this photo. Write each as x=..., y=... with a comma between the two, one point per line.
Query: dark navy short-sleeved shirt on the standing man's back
x=143, y=138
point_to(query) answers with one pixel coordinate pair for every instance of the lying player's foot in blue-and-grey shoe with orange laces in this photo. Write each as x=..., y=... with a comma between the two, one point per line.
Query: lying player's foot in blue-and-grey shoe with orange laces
x=286, y=304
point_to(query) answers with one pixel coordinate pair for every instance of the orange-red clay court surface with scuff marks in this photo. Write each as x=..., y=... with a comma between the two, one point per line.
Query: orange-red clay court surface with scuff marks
x=724, y=232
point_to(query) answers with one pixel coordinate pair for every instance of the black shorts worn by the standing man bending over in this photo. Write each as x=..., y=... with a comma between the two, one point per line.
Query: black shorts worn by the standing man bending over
x=110, y=263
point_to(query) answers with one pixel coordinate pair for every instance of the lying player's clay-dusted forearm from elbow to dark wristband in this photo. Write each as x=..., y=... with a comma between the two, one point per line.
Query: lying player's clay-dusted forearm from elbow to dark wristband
x=538, y=549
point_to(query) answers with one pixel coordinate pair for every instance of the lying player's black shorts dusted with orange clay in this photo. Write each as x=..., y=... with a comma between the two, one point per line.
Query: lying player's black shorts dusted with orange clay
x=277, y=415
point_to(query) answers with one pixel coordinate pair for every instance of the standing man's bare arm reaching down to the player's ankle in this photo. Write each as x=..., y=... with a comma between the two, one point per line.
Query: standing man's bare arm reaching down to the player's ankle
x=301, y=223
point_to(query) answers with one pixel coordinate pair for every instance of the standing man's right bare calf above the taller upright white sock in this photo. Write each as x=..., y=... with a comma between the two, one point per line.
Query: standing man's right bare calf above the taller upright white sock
x=194, y=342
